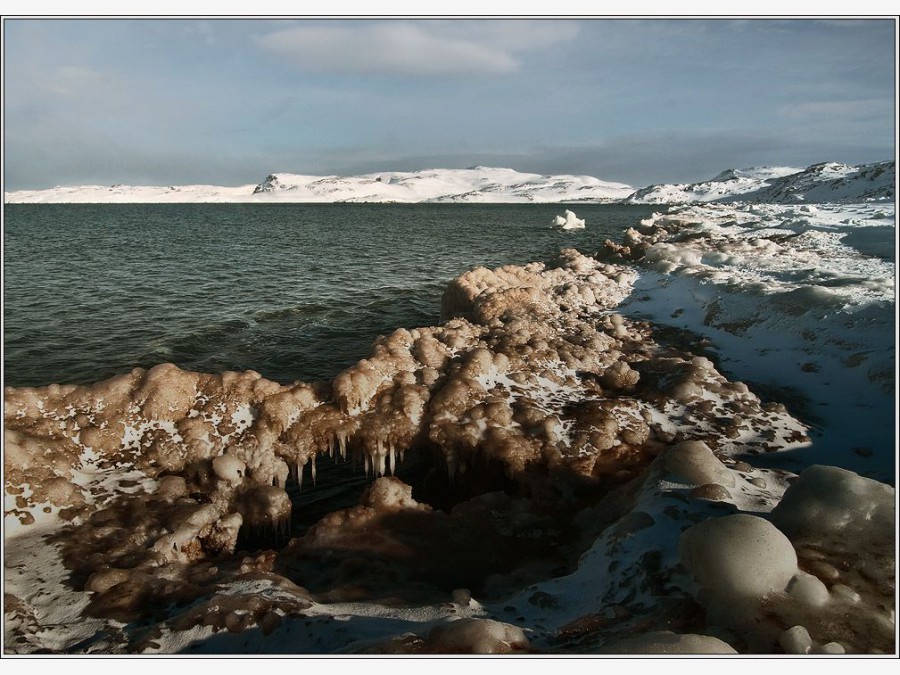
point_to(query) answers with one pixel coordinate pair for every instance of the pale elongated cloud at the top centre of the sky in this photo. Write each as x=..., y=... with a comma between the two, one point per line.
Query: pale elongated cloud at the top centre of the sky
x=412, y=48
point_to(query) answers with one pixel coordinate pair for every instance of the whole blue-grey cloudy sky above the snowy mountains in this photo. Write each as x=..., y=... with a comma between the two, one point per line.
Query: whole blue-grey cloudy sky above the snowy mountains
x=639, y=101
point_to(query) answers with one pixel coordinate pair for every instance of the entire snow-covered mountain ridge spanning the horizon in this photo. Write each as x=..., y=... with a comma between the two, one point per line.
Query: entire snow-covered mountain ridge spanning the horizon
x=825, y=182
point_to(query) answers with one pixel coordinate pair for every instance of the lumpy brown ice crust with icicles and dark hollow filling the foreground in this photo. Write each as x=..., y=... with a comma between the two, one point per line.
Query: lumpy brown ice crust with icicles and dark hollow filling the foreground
x=553, y=453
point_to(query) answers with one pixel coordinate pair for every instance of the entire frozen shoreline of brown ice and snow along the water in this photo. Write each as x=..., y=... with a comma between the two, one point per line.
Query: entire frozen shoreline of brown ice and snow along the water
x=664, y=445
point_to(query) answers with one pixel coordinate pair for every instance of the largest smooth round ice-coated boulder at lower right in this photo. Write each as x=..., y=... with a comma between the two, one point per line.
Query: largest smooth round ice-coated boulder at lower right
x=738, y=557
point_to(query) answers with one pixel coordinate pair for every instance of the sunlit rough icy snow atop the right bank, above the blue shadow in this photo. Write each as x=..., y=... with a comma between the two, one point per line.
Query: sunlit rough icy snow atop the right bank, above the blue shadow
x=829, y=257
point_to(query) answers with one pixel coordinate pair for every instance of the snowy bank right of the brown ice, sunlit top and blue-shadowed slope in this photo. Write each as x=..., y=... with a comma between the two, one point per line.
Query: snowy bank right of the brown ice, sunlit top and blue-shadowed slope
x=797, y=299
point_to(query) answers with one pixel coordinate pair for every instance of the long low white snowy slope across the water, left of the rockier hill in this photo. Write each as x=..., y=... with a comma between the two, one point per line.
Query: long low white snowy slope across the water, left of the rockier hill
x=477, y=184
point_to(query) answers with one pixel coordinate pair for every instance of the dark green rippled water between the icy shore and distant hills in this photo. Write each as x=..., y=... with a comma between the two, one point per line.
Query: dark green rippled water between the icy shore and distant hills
x=291, y=291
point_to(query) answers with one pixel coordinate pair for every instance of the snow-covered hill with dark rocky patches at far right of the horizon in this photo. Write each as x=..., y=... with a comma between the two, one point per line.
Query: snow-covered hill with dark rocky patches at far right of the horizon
x=826, y=182
